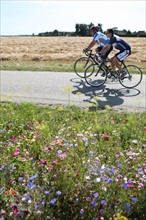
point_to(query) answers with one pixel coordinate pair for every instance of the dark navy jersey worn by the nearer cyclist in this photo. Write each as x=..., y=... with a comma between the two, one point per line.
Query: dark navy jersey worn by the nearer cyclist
x=119, y=43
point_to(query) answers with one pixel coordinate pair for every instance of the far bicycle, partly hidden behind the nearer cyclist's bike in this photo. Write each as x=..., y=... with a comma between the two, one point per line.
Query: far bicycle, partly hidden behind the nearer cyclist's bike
x=83, y=62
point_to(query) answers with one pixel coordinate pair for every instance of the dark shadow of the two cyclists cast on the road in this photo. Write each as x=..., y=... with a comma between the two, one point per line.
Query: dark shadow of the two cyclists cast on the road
x=102, y=96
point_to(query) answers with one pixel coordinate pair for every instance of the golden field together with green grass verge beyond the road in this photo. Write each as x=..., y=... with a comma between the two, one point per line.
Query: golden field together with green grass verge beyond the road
x=55, y=53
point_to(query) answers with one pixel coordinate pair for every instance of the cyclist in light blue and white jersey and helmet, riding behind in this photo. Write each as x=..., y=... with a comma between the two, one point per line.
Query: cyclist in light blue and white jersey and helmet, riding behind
x=98, y=38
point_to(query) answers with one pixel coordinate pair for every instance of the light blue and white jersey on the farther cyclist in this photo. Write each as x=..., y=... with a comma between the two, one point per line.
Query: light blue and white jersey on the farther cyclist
x=101, y=38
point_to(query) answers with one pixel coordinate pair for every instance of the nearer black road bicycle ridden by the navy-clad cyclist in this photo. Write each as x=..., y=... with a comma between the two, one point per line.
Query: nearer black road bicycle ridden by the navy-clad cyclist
x=96, y=74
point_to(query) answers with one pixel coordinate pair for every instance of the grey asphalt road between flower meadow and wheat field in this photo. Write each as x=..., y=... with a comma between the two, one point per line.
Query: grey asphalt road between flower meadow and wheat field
x=68, y=89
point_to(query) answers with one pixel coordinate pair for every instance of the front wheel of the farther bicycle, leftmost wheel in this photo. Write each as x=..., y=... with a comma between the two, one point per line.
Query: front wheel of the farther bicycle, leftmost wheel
x=81, y=64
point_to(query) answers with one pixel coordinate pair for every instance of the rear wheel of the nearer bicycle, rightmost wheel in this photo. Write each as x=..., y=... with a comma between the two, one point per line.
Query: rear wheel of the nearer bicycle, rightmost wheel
x=132, y=78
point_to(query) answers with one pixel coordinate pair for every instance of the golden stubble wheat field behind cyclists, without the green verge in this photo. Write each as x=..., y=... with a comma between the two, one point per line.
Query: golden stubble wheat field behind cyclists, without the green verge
x=64, y=49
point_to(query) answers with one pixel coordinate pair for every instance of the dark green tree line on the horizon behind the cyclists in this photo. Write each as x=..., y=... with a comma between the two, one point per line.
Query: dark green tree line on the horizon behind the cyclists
x=83, y=30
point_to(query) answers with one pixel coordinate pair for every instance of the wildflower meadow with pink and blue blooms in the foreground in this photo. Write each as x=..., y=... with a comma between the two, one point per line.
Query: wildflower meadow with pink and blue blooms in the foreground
x=69, y=163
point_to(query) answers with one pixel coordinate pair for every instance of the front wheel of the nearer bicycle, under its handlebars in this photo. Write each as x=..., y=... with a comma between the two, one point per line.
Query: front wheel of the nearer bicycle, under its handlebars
x=97, y=77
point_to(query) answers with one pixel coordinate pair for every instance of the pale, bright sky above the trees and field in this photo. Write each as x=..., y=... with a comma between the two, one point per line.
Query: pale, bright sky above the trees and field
x=27, y=17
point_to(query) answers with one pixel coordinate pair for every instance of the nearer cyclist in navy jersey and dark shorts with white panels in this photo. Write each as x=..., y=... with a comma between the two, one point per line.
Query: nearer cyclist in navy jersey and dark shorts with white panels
x=119, y=44
